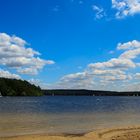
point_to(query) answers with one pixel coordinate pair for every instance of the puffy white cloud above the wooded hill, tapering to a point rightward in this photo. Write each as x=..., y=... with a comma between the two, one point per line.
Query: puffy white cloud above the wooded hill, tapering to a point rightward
x=15, y=54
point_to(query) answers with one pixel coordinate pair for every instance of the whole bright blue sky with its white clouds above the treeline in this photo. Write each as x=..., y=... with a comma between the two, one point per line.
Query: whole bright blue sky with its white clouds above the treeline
x=72, y=37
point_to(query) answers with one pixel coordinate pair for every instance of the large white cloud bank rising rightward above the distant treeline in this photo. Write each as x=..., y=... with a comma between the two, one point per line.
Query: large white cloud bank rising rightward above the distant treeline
x=108, y=75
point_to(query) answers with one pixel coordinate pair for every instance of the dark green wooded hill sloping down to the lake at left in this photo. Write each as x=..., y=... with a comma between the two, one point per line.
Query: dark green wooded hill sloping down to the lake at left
x=14, y=87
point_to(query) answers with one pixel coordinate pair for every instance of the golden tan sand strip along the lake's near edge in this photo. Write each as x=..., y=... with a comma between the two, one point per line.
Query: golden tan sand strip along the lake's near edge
x=128, y=133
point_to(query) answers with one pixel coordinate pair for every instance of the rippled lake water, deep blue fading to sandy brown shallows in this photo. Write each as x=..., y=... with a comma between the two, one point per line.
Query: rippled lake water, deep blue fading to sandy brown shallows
x=66, y=114
